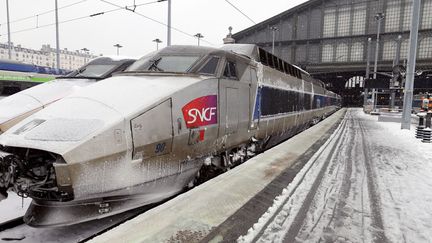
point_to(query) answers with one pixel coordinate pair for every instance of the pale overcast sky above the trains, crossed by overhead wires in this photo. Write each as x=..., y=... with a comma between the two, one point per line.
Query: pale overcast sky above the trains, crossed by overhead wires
x=134, y=32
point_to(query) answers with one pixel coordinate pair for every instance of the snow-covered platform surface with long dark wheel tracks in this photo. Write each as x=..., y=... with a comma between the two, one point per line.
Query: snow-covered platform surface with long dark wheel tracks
x=371, y=182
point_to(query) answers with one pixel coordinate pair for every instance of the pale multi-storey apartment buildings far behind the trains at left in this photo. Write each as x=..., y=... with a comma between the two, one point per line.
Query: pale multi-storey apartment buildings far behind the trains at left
x=46, y=56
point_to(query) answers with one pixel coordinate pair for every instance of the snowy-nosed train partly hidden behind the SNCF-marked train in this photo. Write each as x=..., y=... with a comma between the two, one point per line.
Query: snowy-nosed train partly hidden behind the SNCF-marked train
x=18, y=106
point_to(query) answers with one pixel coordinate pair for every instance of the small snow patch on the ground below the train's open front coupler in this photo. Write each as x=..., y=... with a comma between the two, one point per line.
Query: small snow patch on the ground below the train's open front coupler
x=13, y=207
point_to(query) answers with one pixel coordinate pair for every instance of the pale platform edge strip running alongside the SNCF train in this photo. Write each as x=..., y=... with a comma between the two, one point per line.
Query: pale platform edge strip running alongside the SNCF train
x=193, y=215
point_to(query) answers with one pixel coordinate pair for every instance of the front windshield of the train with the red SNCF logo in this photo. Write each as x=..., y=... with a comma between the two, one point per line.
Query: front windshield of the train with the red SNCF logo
x=180, y=64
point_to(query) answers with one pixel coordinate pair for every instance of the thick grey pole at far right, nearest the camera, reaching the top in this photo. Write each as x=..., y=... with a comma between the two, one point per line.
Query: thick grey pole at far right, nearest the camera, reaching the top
x=409, y=82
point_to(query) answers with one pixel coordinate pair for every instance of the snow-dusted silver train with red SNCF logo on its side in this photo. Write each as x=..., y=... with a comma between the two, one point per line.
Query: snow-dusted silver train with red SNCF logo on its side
x=144, y=135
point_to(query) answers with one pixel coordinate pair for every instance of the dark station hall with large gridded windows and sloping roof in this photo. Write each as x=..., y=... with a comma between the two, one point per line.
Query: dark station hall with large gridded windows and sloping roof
x=329, y=38
